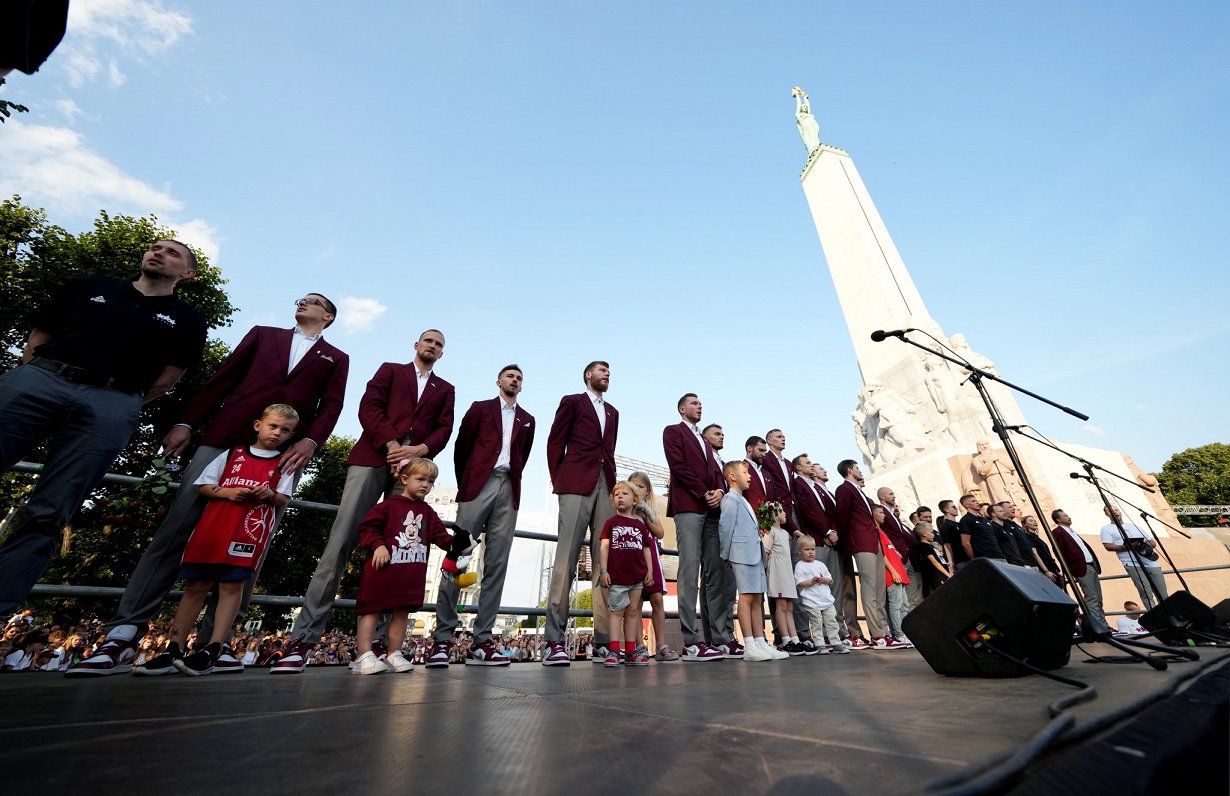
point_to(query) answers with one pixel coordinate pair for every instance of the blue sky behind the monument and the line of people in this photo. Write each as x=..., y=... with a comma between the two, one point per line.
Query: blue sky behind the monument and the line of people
x=557, y=183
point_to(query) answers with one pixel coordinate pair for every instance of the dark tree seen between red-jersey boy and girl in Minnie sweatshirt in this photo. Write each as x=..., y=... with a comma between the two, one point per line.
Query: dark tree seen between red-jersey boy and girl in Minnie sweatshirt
x=304, y=532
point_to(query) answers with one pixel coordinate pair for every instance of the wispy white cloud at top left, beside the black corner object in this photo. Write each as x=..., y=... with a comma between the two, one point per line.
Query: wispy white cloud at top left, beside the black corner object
x=99, y=28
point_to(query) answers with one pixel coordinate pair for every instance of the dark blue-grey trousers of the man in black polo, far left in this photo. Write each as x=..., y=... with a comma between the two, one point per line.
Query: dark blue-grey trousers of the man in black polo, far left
x=84, y=428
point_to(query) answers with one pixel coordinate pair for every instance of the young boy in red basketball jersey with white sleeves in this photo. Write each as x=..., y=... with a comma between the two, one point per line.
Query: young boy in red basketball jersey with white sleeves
x=245, y=489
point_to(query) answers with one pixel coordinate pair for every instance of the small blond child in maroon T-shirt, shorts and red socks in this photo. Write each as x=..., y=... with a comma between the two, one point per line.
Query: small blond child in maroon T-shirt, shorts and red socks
x=624, y=565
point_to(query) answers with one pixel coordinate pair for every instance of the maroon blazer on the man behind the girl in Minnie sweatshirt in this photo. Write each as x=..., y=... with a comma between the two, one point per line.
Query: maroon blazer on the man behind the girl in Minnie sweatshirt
x=392, y=409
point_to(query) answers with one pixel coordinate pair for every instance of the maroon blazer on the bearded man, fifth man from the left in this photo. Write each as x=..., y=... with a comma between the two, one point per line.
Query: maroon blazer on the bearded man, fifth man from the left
x=577, y=451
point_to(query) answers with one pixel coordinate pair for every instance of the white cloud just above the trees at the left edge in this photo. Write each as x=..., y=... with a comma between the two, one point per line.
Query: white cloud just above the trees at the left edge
x=52, y=168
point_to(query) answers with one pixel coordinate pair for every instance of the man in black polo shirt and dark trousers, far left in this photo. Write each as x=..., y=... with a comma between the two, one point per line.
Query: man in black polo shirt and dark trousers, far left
x=99, y=350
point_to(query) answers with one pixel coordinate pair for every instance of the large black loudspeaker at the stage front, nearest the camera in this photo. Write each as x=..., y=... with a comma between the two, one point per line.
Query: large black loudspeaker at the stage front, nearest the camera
x=992, y=603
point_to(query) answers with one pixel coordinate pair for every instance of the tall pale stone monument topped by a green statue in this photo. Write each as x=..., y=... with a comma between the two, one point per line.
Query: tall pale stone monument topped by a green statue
x=921, y=425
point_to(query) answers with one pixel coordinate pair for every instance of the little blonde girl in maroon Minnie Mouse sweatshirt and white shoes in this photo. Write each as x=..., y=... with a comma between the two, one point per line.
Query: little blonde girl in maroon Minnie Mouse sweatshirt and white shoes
x=397, y=535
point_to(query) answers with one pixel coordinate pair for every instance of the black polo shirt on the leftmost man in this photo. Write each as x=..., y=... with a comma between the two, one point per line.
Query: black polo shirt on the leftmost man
x=114, y=332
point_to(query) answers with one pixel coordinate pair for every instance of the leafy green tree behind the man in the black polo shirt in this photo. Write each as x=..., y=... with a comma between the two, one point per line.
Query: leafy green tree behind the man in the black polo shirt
x=36, y=259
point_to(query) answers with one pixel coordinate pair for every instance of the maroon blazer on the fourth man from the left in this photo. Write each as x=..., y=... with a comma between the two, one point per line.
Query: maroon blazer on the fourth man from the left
x=480, y=440
